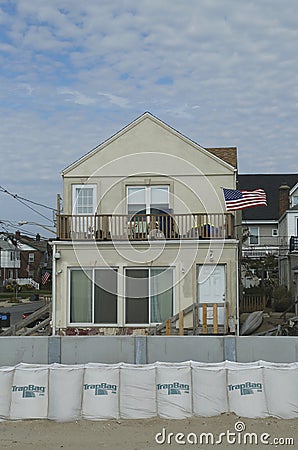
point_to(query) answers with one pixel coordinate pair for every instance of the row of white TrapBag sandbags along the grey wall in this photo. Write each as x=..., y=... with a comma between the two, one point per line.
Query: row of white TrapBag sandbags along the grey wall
x=168, y=390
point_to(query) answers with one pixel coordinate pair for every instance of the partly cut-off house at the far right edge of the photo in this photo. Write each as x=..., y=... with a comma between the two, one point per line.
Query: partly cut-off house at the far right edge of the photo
x=288, y=226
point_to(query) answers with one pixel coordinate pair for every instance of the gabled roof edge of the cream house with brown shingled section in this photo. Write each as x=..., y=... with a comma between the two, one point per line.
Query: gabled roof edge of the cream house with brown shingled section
x=219, y=154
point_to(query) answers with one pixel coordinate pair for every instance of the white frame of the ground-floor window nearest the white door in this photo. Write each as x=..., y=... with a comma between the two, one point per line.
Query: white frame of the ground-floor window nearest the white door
x=143, y=325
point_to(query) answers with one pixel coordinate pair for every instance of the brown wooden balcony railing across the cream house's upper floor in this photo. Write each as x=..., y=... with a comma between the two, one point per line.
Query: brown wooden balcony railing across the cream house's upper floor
x=143, y=227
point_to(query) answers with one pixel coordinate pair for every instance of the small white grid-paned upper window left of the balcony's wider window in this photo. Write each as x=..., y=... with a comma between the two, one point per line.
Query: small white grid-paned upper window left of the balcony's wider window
x=84, y=198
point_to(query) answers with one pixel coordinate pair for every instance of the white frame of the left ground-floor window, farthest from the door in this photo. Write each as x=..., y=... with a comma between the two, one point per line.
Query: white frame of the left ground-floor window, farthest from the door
x=92, y=323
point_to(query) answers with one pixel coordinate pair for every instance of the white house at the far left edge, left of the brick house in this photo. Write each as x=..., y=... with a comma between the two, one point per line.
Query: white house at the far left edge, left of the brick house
x=9, y=259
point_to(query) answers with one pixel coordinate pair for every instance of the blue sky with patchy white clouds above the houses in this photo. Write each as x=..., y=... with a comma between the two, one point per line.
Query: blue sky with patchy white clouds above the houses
x=73, y=73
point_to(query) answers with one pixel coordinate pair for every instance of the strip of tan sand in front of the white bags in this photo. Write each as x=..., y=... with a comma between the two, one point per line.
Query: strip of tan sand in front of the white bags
x=140, y=434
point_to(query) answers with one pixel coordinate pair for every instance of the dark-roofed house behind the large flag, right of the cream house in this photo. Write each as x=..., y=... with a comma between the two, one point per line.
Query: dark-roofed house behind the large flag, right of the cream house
x=262, y=236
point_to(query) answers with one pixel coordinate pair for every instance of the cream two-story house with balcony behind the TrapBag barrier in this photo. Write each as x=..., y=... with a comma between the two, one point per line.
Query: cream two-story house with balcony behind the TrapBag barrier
x=144, y=234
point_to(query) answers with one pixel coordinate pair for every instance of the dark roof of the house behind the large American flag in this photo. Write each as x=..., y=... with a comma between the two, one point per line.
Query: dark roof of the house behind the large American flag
x=270, y=183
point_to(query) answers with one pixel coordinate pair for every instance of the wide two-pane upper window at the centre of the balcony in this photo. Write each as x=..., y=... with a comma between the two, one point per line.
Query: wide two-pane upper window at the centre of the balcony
x=147, y=199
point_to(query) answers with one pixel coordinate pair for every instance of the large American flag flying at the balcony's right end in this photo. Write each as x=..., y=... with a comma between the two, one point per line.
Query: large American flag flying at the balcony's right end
x=235, y=199
